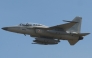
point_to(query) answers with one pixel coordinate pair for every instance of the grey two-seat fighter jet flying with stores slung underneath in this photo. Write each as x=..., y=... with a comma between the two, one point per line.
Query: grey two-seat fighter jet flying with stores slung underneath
x=50, y=35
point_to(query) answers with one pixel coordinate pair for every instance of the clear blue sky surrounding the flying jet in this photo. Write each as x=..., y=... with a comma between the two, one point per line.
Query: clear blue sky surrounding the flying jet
x=47, y=12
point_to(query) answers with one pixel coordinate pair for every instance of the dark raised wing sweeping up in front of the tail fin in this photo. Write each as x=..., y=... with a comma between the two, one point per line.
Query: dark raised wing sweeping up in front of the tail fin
x=64, y=26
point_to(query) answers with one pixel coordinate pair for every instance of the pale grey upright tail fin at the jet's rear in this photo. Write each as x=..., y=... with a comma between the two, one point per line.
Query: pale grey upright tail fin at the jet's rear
x=77, y=26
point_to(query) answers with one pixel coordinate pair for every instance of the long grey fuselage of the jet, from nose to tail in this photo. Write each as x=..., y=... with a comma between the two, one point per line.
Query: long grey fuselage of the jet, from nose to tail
x=41, y=33
